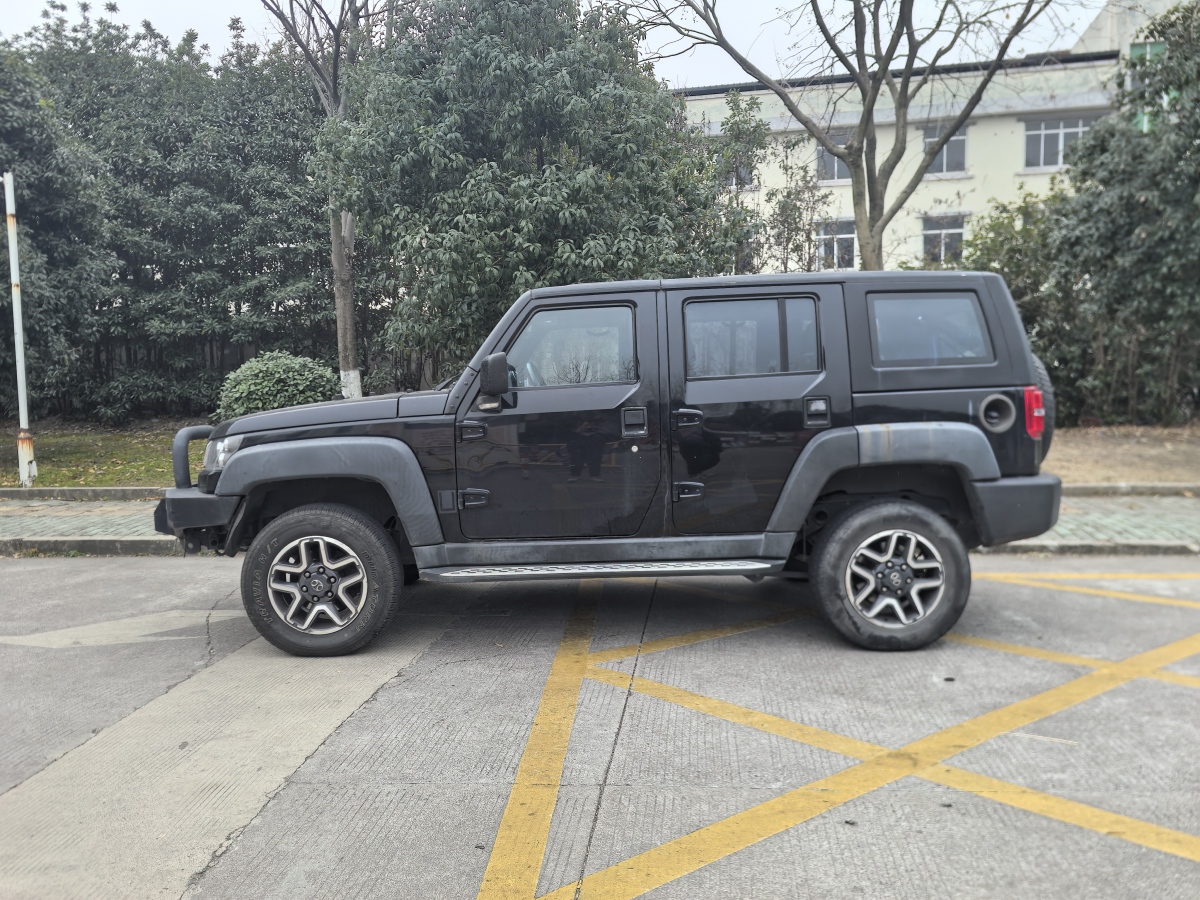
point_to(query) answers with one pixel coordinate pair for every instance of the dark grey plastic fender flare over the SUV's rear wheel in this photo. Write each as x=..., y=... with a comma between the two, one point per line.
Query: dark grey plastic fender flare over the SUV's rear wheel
x=957, y=445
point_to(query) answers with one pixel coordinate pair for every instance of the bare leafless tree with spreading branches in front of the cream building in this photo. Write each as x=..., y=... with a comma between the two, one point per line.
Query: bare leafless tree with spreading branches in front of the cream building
x=891, y=56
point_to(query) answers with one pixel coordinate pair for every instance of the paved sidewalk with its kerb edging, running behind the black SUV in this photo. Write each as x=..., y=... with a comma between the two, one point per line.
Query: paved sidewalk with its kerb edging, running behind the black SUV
x=1097, y=525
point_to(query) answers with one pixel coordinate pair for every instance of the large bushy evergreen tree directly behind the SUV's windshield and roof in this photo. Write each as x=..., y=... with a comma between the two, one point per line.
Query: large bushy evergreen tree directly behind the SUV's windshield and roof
x=500, y=146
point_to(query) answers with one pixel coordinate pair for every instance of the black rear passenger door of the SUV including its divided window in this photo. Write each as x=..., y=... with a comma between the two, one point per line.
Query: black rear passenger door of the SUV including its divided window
x=754, y=375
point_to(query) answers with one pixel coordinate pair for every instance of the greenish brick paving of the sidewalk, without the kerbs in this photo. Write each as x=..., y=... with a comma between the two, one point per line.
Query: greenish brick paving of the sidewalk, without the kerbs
x=1168, y=520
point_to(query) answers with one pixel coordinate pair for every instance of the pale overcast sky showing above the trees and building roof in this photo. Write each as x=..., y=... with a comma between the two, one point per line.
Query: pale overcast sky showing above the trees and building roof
x=753, y=26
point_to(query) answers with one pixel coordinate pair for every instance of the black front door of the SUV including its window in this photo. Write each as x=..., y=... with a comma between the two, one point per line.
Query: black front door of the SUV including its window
x=577, y=449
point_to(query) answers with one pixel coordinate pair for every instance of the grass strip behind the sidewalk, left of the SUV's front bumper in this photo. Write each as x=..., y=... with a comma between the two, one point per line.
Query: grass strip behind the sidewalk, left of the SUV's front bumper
x=82, y=455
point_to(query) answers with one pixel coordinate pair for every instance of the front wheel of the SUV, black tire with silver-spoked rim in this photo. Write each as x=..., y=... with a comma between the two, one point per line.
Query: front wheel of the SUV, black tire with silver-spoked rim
x=335, y=554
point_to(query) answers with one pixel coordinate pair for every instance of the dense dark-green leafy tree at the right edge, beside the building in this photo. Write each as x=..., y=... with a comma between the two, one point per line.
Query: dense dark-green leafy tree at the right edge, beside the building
x=1131, y=236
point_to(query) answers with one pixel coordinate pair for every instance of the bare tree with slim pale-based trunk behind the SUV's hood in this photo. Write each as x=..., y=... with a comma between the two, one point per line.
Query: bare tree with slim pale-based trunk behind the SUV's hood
x=332, y=43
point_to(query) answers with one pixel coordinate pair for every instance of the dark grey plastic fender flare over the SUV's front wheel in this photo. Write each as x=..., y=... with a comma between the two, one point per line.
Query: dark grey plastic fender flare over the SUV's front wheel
x=386, y=461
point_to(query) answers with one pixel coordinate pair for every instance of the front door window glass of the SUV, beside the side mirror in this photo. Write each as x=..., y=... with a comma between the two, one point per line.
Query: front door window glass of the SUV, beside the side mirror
x=587, y=345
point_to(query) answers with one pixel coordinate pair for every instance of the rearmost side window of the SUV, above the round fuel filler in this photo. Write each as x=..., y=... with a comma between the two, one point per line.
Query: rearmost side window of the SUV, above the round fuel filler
x=928, y=331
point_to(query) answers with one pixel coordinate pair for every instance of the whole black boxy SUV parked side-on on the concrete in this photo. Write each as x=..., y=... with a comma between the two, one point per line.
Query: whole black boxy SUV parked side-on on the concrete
x=860, y=431
